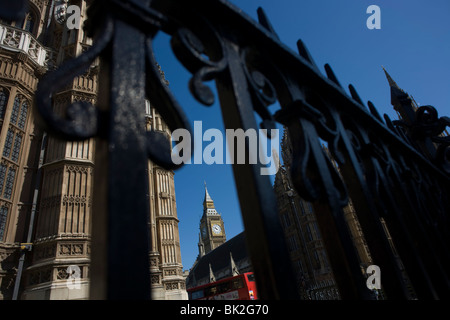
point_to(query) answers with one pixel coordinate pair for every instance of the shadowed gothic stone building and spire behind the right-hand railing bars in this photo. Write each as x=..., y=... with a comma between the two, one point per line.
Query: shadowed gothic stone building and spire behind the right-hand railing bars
x=315, y=278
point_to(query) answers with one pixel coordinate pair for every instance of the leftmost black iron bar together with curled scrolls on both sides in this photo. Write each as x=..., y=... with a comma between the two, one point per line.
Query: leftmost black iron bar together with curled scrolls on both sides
x=130, y=75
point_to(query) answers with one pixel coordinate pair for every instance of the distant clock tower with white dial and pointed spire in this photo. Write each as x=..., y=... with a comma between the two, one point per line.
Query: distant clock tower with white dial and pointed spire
x=212, y=231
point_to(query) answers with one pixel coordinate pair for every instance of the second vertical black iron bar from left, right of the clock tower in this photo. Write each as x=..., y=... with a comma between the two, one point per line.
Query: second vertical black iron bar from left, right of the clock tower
x=264, y=235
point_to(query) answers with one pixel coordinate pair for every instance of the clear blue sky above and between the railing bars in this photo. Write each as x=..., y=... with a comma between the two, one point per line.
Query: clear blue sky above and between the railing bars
x=413, y=44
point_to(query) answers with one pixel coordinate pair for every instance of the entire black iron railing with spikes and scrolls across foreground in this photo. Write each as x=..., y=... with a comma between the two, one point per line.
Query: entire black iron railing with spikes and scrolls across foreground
x=383, y=166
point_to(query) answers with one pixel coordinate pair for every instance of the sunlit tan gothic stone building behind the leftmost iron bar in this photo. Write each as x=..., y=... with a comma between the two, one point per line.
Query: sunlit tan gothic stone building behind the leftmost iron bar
x=46, y=185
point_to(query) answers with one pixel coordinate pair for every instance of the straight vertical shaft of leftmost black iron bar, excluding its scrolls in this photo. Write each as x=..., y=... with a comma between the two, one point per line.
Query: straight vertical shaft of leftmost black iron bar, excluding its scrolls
x=122, y=267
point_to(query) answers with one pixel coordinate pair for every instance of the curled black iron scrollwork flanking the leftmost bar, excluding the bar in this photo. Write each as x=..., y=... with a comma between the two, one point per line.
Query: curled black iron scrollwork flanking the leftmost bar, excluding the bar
x=82, y=120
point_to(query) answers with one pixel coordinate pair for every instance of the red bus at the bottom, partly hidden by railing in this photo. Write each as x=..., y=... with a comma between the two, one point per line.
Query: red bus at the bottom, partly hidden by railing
x=240, y=287
